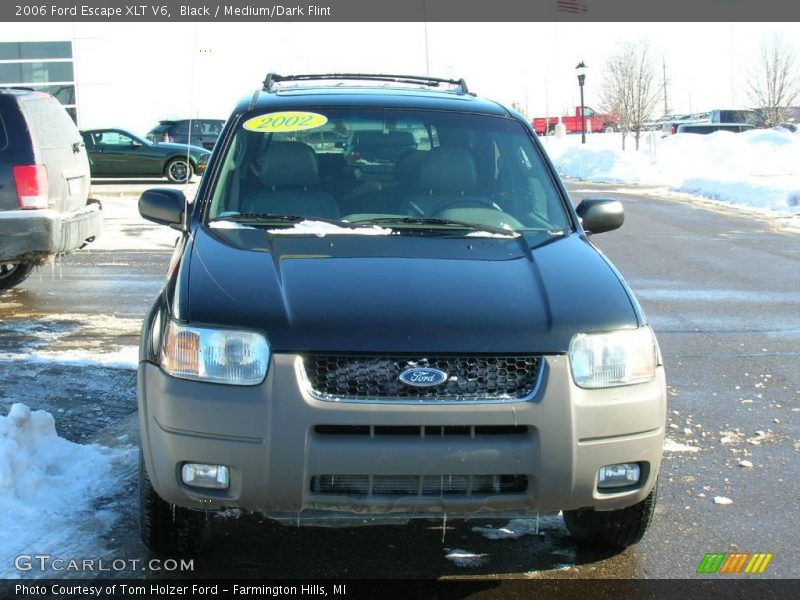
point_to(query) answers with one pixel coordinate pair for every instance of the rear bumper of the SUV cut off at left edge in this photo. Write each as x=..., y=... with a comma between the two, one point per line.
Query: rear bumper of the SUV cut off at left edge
x=36, y=234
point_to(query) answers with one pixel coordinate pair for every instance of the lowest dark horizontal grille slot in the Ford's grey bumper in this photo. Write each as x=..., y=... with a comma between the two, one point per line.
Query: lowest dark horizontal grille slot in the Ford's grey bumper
x=418, y=485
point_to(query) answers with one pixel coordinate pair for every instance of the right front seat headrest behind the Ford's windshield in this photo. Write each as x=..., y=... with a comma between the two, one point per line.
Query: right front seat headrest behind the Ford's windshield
x=448, y=169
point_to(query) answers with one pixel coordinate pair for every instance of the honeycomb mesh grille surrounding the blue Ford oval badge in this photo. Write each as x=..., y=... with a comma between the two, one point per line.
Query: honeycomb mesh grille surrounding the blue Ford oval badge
x=377, y=377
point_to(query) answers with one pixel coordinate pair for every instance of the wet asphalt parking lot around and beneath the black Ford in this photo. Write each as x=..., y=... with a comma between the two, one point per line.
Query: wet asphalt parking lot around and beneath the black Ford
x=720, y=288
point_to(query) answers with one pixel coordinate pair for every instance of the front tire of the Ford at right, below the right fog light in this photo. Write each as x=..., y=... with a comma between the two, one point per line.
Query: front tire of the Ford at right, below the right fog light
x=613, y=529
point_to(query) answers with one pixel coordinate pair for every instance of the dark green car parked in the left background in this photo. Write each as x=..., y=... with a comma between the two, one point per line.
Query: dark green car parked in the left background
x=120, y=153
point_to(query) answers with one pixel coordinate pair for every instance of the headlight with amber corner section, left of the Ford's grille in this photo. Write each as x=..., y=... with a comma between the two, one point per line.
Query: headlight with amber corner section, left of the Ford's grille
x=215, y=355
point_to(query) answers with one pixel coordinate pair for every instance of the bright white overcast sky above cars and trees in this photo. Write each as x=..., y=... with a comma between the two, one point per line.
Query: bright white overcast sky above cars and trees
x=132, y=74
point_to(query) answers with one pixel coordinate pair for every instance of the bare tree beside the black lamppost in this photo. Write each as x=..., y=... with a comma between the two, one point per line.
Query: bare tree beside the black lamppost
x=629, y=88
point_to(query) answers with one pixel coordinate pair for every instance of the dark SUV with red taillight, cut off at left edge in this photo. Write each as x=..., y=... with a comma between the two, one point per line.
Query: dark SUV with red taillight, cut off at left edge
x=44, y=184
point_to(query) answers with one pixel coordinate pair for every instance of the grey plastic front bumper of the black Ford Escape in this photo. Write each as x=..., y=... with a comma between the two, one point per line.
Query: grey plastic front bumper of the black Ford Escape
x=269, y=435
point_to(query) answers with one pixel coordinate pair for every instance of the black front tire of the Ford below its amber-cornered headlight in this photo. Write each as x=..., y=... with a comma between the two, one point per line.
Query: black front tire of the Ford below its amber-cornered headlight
x=164, y=527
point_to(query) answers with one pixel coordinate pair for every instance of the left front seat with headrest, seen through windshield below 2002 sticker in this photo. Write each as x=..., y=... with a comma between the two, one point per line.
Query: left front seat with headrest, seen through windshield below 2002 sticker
x=289, y=177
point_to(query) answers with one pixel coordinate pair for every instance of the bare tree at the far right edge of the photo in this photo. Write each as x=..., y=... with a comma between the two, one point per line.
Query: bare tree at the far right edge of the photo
x=774, y=82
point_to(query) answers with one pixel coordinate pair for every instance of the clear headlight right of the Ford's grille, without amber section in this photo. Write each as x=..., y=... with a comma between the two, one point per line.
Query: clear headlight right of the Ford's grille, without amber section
x=624, y=357
